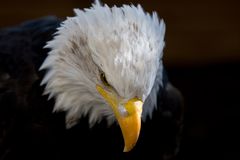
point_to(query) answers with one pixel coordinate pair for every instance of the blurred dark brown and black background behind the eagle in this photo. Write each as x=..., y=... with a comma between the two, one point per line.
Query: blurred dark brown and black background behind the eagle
x=202, y=56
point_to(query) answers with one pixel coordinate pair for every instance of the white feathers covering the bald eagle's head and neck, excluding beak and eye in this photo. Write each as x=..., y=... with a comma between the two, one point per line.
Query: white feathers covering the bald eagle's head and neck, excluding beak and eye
x=125, y=43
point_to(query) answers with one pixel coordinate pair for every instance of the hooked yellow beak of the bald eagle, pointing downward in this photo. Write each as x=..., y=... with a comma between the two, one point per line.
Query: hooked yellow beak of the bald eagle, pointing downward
x=129, y=121
